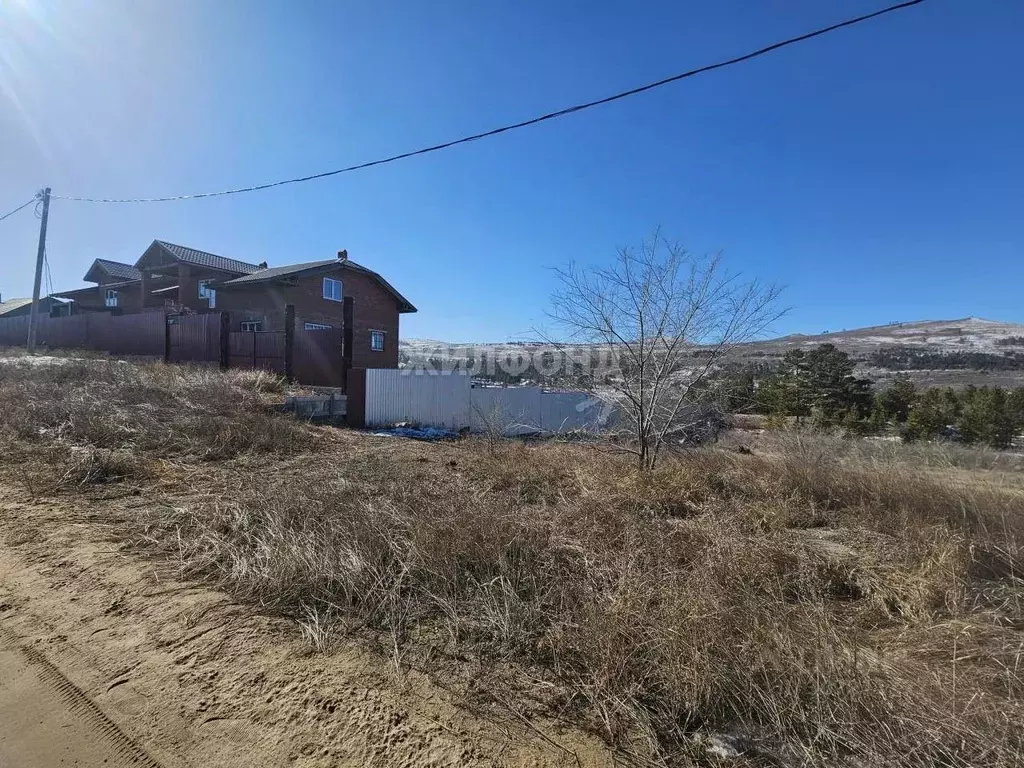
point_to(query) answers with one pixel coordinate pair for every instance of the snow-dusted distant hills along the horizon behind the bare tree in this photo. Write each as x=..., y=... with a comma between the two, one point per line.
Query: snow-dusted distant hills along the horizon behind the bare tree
x=955, y=353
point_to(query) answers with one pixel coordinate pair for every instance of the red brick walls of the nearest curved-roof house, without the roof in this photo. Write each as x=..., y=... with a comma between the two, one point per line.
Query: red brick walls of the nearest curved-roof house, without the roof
x=374, y=310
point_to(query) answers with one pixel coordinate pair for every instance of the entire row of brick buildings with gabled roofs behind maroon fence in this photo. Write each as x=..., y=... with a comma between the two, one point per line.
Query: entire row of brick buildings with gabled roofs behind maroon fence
x=169, y=276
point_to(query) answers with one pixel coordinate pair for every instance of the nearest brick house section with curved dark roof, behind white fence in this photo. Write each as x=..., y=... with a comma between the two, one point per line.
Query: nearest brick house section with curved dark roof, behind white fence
x=317, y=290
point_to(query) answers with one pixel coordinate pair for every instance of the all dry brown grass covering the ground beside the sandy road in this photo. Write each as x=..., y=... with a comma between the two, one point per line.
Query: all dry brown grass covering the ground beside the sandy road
x=819, y=603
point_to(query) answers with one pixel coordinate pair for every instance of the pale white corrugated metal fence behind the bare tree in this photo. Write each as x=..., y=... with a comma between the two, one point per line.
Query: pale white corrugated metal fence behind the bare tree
x=451, y=401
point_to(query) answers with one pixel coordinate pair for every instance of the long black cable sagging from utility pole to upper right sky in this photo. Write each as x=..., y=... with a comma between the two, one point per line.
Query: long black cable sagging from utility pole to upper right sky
x=525, y=123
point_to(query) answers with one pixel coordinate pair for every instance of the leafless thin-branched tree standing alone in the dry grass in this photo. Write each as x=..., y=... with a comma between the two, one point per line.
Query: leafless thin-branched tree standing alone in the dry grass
x=666, y=321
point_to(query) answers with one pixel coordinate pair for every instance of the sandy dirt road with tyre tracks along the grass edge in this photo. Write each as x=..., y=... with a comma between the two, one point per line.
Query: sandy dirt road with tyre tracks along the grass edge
x=183, y=675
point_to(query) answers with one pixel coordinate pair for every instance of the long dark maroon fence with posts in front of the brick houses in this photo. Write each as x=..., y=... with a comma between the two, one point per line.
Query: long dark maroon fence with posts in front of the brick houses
x=310, y=357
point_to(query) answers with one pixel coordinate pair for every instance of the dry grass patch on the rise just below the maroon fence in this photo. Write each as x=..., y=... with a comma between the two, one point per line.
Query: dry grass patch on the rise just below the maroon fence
x=157, y=410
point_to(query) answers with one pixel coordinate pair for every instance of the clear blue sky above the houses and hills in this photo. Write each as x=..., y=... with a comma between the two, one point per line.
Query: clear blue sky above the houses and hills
x=876, y=173
